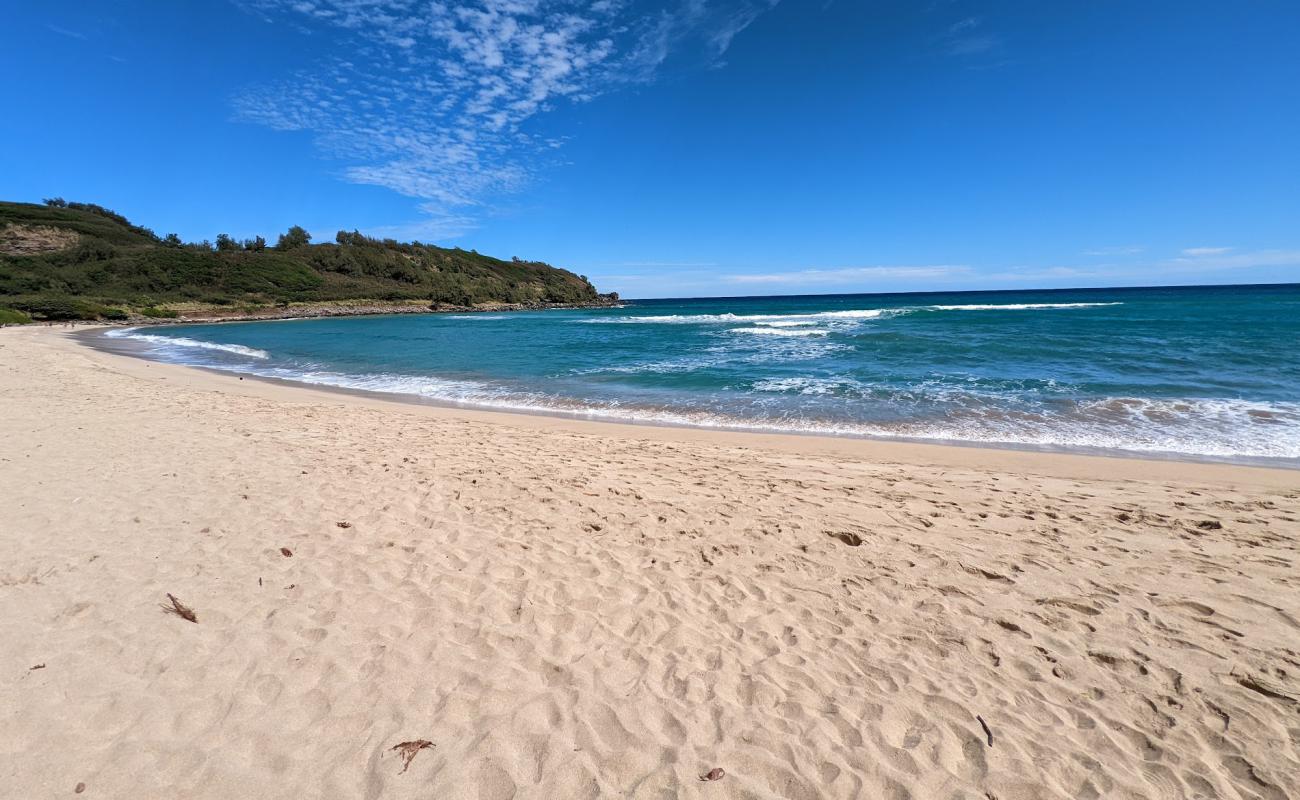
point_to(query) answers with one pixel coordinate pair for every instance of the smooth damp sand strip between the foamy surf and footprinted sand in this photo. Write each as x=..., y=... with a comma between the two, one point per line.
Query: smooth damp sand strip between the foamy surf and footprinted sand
x=903, y=451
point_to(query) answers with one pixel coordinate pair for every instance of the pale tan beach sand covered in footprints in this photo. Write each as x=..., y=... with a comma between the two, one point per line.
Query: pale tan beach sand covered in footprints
x=587, y=611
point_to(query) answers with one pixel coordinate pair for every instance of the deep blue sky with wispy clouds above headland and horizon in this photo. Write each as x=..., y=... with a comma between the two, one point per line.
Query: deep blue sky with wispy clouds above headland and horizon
x=690, y=148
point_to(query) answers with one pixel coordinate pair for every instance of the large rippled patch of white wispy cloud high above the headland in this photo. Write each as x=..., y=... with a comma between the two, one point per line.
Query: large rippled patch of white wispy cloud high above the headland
x=434, y=100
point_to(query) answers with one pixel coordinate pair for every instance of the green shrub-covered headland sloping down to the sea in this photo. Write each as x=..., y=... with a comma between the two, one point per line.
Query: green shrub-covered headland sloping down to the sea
x=79, y=261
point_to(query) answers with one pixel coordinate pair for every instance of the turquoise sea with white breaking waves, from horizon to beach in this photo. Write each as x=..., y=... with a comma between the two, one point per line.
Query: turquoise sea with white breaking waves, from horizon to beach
x=1211, y=373
